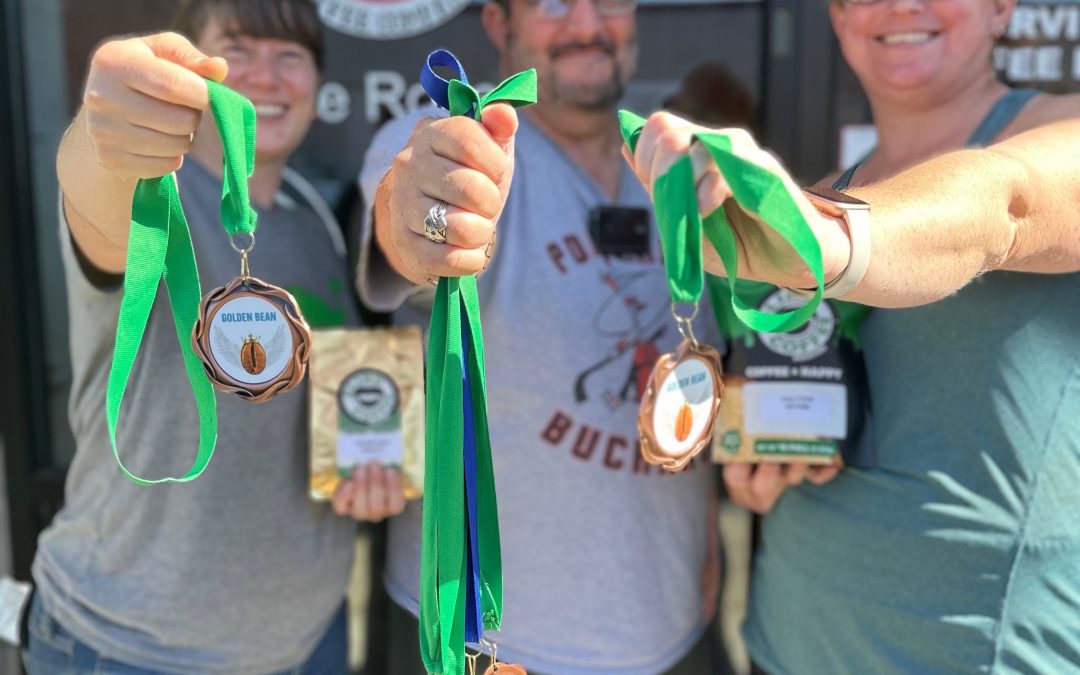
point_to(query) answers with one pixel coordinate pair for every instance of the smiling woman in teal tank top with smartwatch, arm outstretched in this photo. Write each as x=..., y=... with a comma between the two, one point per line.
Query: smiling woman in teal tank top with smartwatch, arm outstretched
x=953, y=550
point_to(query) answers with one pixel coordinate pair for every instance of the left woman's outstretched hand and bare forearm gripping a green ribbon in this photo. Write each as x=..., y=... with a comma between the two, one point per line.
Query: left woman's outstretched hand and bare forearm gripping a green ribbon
x=143, y=103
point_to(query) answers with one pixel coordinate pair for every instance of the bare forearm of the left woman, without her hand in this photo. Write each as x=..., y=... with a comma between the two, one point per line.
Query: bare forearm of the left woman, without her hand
x=97, y=202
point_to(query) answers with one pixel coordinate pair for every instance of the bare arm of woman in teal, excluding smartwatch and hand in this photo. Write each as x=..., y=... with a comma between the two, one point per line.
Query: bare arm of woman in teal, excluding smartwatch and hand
x=938, y=226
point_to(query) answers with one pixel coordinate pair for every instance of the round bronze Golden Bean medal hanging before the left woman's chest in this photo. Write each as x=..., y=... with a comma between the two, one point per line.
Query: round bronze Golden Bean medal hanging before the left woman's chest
x=251, y=336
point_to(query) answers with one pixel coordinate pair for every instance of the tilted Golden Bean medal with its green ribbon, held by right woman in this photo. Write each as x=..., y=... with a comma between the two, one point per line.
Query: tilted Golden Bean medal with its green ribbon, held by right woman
x=685, y=390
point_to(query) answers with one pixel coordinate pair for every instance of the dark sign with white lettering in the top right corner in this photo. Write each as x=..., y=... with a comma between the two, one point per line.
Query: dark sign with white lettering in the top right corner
x=1042, y=47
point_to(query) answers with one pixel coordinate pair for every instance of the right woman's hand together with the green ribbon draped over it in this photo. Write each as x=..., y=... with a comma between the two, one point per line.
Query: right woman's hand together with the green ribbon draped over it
x=755, y=218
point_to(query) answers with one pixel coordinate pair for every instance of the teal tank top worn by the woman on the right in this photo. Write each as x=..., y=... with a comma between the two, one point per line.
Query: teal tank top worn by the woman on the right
x=960, y=550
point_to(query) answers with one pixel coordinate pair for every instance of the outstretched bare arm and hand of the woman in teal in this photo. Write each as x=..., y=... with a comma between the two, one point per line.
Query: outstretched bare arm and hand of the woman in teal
x=936, y=227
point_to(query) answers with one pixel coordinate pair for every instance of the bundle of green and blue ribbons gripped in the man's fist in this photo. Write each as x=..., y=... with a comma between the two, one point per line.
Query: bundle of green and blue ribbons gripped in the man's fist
x=462, y=566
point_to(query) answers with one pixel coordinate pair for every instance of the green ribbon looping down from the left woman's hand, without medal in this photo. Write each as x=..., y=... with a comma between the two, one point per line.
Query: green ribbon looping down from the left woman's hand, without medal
x=159, y=248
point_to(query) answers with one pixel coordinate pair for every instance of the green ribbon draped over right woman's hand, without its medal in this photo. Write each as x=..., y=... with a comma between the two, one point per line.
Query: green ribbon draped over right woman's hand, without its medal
x=757, y=191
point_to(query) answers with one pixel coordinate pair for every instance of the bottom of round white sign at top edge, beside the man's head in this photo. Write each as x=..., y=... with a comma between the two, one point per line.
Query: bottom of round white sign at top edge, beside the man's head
x=388, y=20
